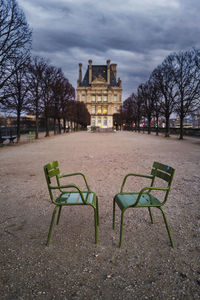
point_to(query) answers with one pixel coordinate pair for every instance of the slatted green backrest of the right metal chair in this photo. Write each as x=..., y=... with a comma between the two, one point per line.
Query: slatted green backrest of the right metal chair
x=165, y=173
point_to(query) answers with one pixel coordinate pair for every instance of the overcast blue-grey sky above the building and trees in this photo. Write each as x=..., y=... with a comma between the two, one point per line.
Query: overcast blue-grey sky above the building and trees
x=135, y=34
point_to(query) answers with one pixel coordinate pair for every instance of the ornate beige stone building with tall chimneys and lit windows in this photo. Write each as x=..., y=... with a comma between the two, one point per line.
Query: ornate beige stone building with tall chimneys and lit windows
x=101, y=91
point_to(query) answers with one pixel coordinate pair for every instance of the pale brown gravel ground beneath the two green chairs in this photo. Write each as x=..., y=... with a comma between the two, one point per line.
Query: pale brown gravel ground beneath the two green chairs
x=73, y=267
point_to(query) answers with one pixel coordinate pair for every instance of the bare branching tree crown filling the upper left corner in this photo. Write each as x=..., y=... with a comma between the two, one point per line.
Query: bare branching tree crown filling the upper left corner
x=15, y=39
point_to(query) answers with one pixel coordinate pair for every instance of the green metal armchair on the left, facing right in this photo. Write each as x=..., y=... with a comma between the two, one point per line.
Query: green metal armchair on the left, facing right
x=68, y=195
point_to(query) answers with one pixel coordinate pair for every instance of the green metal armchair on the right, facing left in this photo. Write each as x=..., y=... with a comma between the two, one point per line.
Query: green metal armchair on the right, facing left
x=144, y=197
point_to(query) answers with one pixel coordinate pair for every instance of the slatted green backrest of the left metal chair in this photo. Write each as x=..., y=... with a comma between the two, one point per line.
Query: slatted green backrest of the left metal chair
x=51, y=170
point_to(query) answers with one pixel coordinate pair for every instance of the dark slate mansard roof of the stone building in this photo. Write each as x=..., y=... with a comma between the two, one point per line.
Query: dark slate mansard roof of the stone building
x=96, y=71
